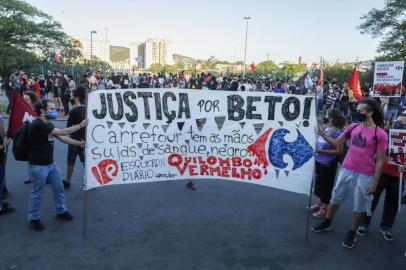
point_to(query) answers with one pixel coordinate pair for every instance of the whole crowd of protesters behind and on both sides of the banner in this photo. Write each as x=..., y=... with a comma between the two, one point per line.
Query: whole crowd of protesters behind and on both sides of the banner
x=353, y=143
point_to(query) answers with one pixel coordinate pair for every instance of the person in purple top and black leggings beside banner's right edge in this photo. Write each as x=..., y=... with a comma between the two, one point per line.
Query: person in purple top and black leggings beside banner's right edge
x=326, y=163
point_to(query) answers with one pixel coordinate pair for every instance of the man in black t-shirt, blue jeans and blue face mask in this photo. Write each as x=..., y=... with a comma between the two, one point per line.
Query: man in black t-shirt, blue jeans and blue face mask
x=41, y=165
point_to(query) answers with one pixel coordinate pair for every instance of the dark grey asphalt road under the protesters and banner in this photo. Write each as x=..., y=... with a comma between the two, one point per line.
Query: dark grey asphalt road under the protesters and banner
x=222, y=225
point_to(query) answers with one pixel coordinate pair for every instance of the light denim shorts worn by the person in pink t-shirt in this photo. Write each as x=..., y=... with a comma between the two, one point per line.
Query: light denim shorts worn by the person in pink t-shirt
x=355, y=184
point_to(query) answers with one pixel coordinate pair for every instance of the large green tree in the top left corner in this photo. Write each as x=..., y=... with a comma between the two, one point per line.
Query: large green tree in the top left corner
x=25, y=34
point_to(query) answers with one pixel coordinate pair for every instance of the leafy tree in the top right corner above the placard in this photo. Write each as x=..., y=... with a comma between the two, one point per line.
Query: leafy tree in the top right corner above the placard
x=390, y=24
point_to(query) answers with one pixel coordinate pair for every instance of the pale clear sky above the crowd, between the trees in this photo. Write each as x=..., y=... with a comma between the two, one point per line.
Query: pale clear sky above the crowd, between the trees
x=284, y=29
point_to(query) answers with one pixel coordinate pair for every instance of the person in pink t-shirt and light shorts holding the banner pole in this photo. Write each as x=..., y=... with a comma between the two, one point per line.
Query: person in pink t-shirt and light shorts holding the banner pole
x=361, y=169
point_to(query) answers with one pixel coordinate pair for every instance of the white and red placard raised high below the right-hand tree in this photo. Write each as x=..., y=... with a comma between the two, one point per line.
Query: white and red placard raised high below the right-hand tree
x=388, y=78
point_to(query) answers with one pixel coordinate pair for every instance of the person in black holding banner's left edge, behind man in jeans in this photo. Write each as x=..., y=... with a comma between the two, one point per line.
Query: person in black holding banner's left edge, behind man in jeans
x=76, y=116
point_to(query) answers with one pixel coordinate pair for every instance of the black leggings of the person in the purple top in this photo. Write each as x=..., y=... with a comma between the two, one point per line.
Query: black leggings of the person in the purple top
x=325, y=176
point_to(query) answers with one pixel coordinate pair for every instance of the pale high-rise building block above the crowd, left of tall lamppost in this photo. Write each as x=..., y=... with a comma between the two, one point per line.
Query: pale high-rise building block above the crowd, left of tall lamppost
x=150, y=52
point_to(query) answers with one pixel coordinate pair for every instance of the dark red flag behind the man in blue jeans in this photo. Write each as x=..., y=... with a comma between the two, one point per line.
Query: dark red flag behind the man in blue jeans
x=21, y=112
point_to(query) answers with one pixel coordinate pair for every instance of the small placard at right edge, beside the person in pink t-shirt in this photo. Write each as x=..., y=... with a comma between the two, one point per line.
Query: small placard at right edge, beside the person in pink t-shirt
x=397, y=146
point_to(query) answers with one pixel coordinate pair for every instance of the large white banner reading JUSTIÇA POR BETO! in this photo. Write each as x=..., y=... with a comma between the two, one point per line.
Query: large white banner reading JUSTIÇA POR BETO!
x=148, y=135
